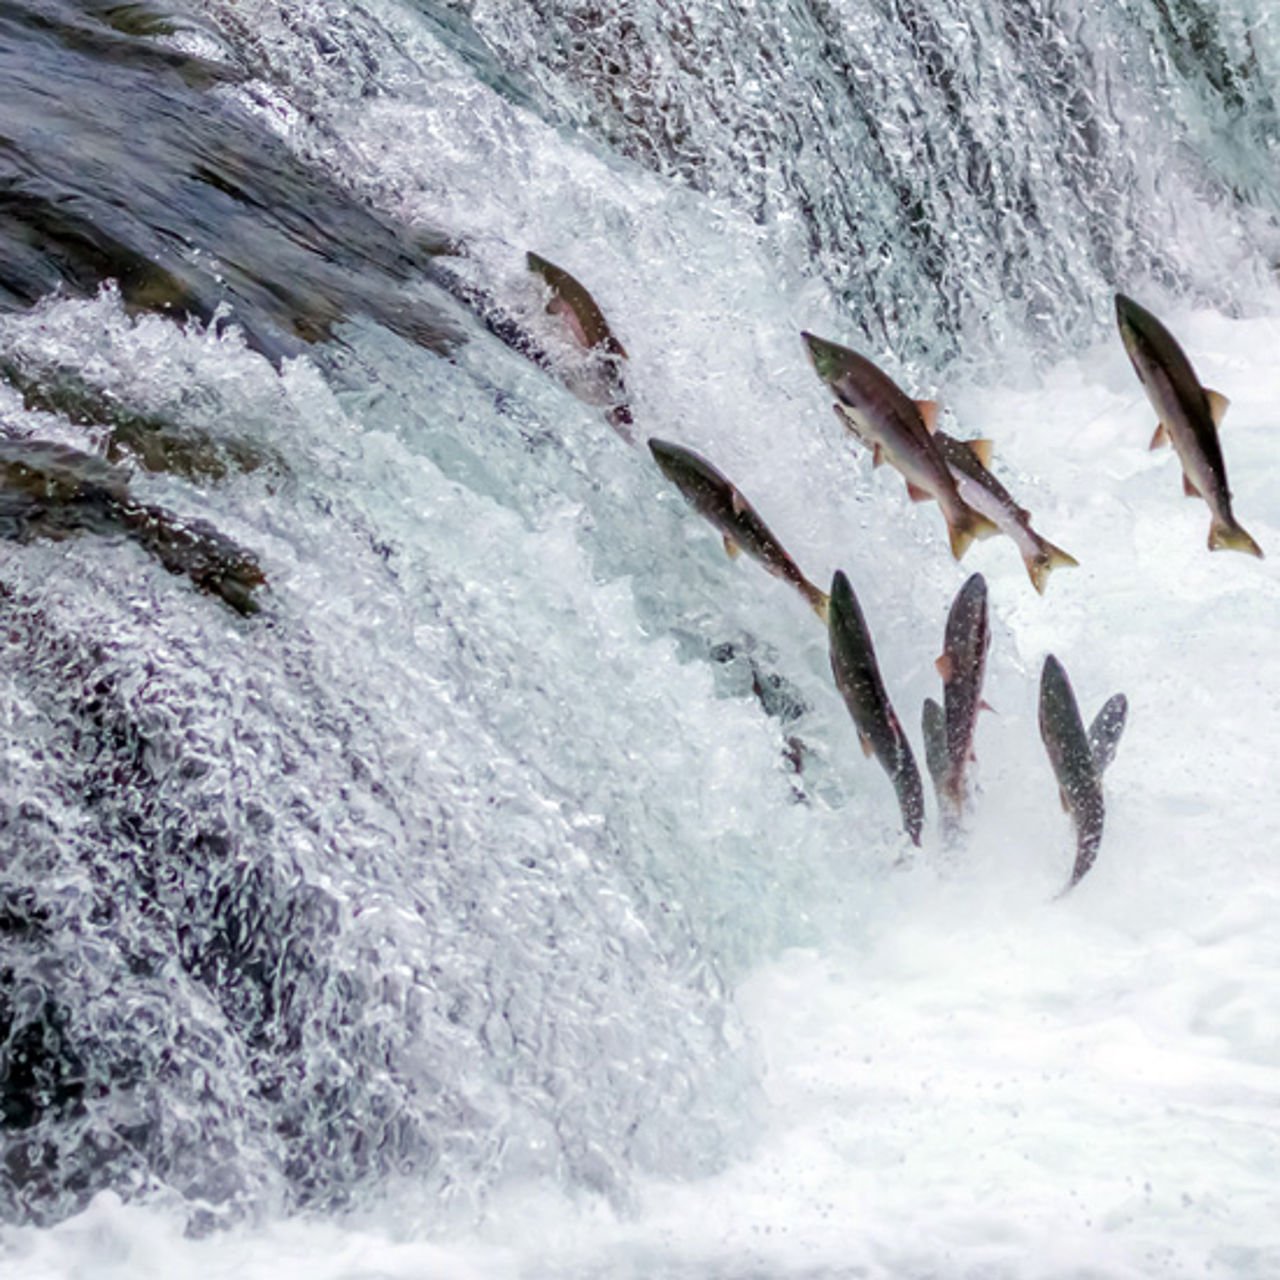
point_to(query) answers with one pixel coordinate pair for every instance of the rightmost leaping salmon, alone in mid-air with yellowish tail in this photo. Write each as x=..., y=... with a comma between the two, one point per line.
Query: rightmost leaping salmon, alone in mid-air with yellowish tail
x=1188, y=418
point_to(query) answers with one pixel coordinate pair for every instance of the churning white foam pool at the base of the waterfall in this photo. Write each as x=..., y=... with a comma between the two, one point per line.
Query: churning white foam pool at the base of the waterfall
x=977, y=1081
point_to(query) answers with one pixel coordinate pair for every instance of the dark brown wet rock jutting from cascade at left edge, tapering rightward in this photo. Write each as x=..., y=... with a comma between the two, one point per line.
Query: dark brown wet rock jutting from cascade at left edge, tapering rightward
x=51, y=491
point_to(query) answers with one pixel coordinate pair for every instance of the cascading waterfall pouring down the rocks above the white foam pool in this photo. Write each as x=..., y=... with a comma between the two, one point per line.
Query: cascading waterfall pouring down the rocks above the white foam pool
x=442, y=874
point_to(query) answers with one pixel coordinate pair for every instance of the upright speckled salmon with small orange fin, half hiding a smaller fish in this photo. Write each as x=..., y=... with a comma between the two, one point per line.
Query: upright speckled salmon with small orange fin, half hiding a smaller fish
x=963, y=668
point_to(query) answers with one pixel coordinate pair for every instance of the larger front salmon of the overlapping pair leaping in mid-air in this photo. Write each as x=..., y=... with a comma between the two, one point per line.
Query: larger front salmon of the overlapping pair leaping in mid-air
x=897, y=429
